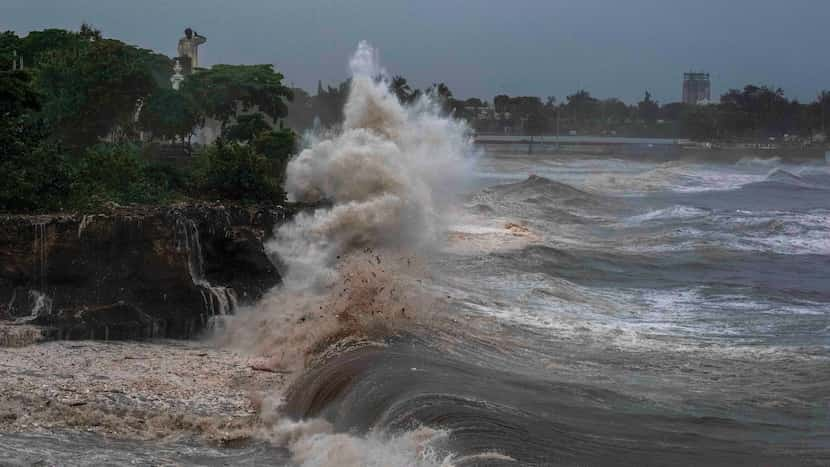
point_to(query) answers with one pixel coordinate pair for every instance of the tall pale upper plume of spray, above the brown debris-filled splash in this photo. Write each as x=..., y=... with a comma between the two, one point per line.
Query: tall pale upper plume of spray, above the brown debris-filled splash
x=386, y=173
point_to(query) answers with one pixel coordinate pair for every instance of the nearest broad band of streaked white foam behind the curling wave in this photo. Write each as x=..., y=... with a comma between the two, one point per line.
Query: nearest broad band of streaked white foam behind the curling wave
x=685, y=319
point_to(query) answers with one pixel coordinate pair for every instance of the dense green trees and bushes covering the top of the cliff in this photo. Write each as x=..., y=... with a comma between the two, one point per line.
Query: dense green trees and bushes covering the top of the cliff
x=71, y=125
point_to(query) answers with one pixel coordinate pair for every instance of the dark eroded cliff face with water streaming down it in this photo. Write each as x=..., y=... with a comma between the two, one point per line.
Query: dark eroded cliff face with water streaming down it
x=133, y=273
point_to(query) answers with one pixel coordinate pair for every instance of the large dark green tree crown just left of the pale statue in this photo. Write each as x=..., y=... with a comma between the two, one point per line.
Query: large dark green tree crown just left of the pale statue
x=90, y=85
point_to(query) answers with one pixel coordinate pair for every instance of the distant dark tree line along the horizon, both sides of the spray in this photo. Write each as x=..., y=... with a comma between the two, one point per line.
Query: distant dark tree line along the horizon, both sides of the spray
x=751, y=113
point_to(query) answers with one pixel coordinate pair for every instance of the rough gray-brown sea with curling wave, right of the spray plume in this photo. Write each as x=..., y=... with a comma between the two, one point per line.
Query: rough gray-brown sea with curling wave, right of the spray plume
x=596, y=311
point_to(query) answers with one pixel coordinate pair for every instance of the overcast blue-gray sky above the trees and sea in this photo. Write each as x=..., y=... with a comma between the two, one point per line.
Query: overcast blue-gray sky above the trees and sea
x=484, y=47
